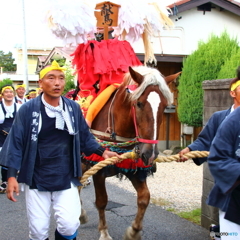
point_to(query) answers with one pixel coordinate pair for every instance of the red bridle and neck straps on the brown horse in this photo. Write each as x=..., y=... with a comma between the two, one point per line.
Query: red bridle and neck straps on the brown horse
x=113, y=134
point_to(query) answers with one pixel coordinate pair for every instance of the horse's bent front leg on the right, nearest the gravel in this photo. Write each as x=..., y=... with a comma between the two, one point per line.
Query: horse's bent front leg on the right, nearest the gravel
x=143, y=197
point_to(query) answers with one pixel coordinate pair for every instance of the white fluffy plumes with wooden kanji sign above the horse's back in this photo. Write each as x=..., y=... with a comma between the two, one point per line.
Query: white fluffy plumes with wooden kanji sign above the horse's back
x=74, y=21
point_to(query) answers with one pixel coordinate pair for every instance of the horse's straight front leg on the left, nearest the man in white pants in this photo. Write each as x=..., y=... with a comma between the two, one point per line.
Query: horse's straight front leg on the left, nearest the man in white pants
x=101, y=203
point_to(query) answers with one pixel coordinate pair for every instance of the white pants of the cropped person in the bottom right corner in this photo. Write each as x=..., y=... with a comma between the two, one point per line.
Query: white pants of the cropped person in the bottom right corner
x=232, y=229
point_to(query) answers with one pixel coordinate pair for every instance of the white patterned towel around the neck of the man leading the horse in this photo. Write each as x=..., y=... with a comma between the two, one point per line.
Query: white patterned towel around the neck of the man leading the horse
x=61, y=116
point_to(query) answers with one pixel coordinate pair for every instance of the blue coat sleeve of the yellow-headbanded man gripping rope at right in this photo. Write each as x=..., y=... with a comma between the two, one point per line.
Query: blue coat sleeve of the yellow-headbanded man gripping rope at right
x=206, y=136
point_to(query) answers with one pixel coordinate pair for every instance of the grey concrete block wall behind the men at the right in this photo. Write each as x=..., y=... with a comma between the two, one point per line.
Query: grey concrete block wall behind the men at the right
x=216, y=98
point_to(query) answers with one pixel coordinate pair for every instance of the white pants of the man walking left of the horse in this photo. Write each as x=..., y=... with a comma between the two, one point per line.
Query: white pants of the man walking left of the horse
x=66, y=206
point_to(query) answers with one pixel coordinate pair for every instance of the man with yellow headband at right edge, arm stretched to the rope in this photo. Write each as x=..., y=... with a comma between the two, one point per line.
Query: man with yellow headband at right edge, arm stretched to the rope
x=206, y=136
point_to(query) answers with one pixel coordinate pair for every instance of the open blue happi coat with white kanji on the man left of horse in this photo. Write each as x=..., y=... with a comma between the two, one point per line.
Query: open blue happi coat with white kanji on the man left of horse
x=20, y=148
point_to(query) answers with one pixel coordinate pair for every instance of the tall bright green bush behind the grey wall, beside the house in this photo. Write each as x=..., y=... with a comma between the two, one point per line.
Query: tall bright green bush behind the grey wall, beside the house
x=203, y=64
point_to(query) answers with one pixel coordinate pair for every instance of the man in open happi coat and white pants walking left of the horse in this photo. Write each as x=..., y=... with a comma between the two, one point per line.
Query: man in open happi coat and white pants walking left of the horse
x=44, y=145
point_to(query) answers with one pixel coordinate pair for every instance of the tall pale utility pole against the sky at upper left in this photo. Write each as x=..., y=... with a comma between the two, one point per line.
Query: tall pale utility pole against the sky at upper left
x=24, y=50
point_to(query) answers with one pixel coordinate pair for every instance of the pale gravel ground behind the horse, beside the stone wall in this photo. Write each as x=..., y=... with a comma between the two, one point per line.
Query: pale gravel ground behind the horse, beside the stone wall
x=176, y=186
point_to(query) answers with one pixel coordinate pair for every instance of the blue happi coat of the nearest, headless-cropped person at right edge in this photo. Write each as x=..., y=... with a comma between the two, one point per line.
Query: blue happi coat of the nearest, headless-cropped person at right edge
x=224, y=164
